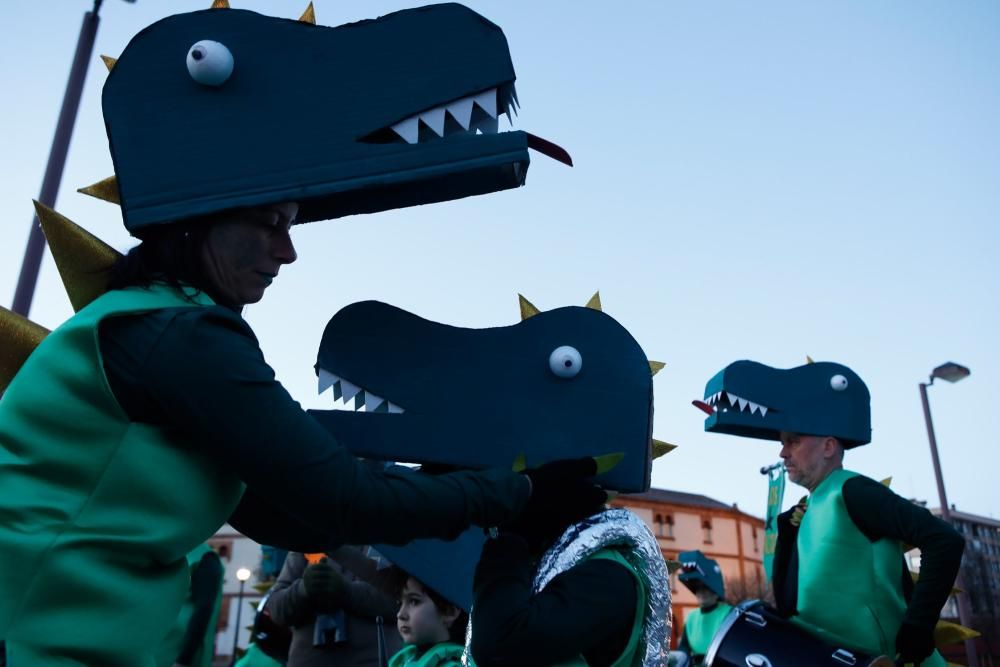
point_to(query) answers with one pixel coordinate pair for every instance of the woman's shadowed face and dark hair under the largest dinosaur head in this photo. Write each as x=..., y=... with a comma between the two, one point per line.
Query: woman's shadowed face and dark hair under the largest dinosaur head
x=244, y=249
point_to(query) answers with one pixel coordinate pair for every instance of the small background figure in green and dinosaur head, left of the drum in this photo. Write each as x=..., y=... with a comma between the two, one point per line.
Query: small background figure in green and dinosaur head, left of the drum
x=703, y=577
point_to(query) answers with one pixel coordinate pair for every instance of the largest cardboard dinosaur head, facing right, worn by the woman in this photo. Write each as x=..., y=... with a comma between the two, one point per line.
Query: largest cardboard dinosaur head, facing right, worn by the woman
x=226, y=108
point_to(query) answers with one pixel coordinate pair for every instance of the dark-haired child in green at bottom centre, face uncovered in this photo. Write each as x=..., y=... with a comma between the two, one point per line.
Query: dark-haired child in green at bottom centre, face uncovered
x=432, y=628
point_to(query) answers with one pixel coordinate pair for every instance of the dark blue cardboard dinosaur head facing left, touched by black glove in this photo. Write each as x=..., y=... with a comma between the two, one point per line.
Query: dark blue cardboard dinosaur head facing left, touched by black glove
x=565, y=383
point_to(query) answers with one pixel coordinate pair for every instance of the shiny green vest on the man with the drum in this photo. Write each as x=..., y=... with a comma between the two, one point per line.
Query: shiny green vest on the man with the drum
x=849, y=588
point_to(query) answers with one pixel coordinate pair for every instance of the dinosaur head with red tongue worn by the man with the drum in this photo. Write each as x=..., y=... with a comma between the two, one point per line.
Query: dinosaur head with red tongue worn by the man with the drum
x=823, y=398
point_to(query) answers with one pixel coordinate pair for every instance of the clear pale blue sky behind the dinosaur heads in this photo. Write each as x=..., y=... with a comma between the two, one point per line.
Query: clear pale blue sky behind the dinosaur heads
x=753, y=180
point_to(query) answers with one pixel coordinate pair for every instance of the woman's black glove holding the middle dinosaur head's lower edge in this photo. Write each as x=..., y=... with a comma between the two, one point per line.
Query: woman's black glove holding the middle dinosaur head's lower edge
x=560, y=495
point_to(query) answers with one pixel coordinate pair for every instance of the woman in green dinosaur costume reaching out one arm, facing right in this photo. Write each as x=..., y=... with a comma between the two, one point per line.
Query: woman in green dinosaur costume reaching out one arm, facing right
x=136, y=429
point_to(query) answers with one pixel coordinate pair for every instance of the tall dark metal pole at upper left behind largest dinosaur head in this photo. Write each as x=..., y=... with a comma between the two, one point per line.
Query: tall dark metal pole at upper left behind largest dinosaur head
x=28, y=277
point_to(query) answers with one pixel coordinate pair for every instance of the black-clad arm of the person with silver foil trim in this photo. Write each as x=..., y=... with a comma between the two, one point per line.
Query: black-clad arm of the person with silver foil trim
x=588, y=610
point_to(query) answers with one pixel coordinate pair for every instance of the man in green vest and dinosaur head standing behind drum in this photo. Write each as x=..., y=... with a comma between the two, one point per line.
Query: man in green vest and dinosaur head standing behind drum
x=838, y=569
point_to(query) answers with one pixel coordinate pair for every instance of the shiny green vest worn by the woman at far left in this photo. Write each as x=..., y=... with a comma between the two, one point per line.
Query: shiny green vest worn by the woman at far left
x=97, y=513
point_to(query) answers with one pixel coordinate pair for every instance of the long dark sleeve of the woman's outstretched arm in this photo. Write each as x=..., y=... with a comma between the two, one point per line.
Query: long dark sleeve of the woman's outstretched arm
x=200, y=372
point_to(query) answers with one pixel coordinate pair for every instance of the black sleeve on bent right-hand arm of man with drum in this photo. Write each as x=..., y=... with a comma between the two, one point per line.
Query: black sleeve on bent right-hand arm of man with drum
x=880, y=513
